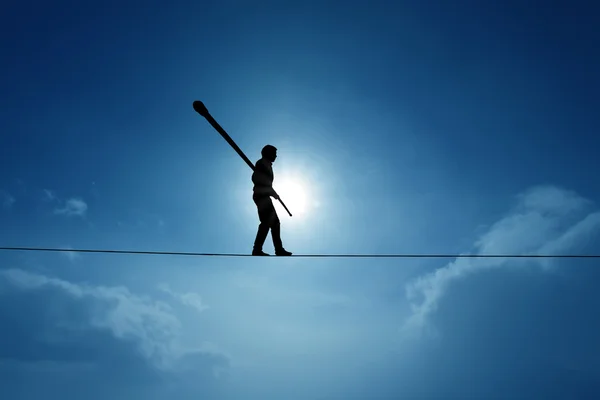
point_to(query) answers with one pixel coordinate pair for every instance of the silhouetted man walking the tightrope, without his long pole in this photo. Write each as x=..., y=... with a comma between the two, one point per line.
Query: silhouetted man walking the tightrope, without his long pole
x=263, y=190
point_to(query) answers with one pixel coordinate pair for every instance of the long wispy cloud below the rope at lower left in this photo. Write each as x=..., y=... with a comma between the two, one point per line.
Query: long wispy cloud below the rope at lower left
x=151, y=324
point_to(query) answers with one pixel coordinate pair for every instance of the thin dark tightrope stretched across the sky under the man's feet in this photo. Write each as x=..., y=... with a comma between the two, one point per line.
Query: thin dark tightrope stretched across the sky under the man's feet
x=196, y=254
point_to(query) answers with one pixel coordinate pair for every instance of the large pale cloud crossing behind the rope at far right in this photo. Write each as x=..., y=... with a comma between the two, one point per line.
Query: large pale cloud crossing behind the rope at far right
x=545, y=220
